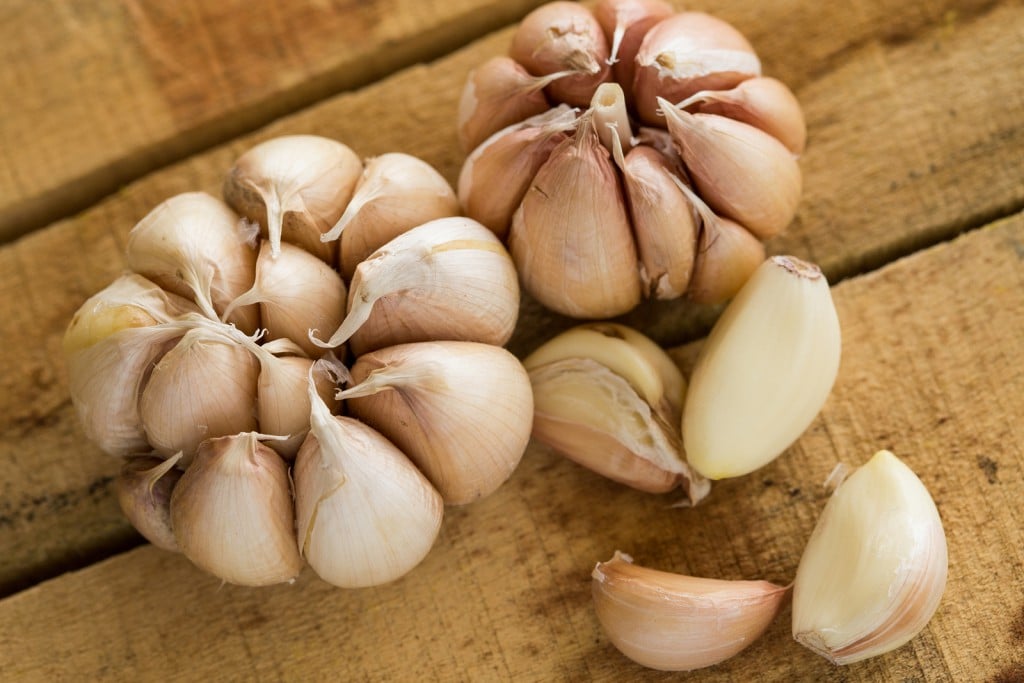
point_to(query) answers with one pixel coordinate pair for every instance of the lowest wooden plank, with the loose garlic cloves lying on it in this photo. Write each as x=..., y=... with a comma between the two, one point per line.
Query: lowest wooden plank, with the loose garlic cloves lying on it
x=930, y=371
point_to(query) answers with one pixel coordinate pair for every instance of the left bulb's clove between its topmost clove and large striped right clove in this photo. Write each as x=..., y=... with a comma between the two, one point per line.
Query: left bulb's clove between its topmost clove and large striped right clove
x=397, y=193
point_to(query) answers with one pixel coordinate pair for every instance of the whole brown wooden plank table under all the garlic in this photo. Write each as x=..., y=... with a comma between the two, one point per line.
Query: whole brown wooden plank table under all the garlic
x=914, y=199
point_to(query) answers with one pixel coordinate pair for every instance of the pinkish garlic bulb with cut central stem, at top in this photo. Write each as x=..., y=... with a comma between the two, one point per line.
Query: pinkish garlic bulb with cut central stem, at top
x=593, y=225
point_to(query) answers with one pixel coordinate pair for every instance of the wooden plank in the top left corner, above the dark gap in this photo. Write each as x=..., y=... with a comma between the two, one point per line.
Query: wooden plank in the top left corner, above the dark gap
x=102, y=94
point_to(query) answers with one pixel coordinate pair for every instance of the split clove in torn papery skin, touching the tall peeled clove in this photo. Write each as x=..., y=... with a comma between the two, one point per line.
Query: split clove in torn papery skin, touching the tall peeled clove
x=609, y=399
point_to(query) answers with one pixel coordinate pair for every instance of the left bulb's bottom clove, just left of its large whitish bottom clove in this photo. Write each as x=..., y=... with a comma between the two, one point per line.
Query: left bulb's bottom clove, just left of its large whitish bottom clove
x=232, y=513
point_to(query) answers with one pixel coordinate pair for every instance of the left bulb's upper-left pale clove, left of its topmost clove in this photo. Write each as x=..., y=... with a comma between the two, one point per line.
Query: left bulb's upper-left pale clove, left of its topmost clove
x=195, y=246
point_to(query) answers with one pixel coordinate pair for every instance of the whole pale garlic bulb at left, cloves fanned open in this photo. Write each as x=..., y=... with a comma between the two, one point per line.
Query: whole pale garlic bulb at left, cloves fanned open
x=206, y=366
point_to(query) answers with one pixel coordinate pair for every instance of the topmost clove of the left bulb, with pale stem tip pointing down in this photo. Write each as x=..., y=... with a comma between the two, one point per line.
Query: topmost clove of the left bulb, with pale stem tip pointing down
x=295, y=188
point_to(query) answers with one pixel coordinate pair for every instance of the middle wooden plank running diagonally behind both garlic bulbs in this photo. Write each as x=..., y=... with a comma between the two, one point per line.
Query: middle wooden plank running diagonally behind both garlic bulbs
x=862, y=199
